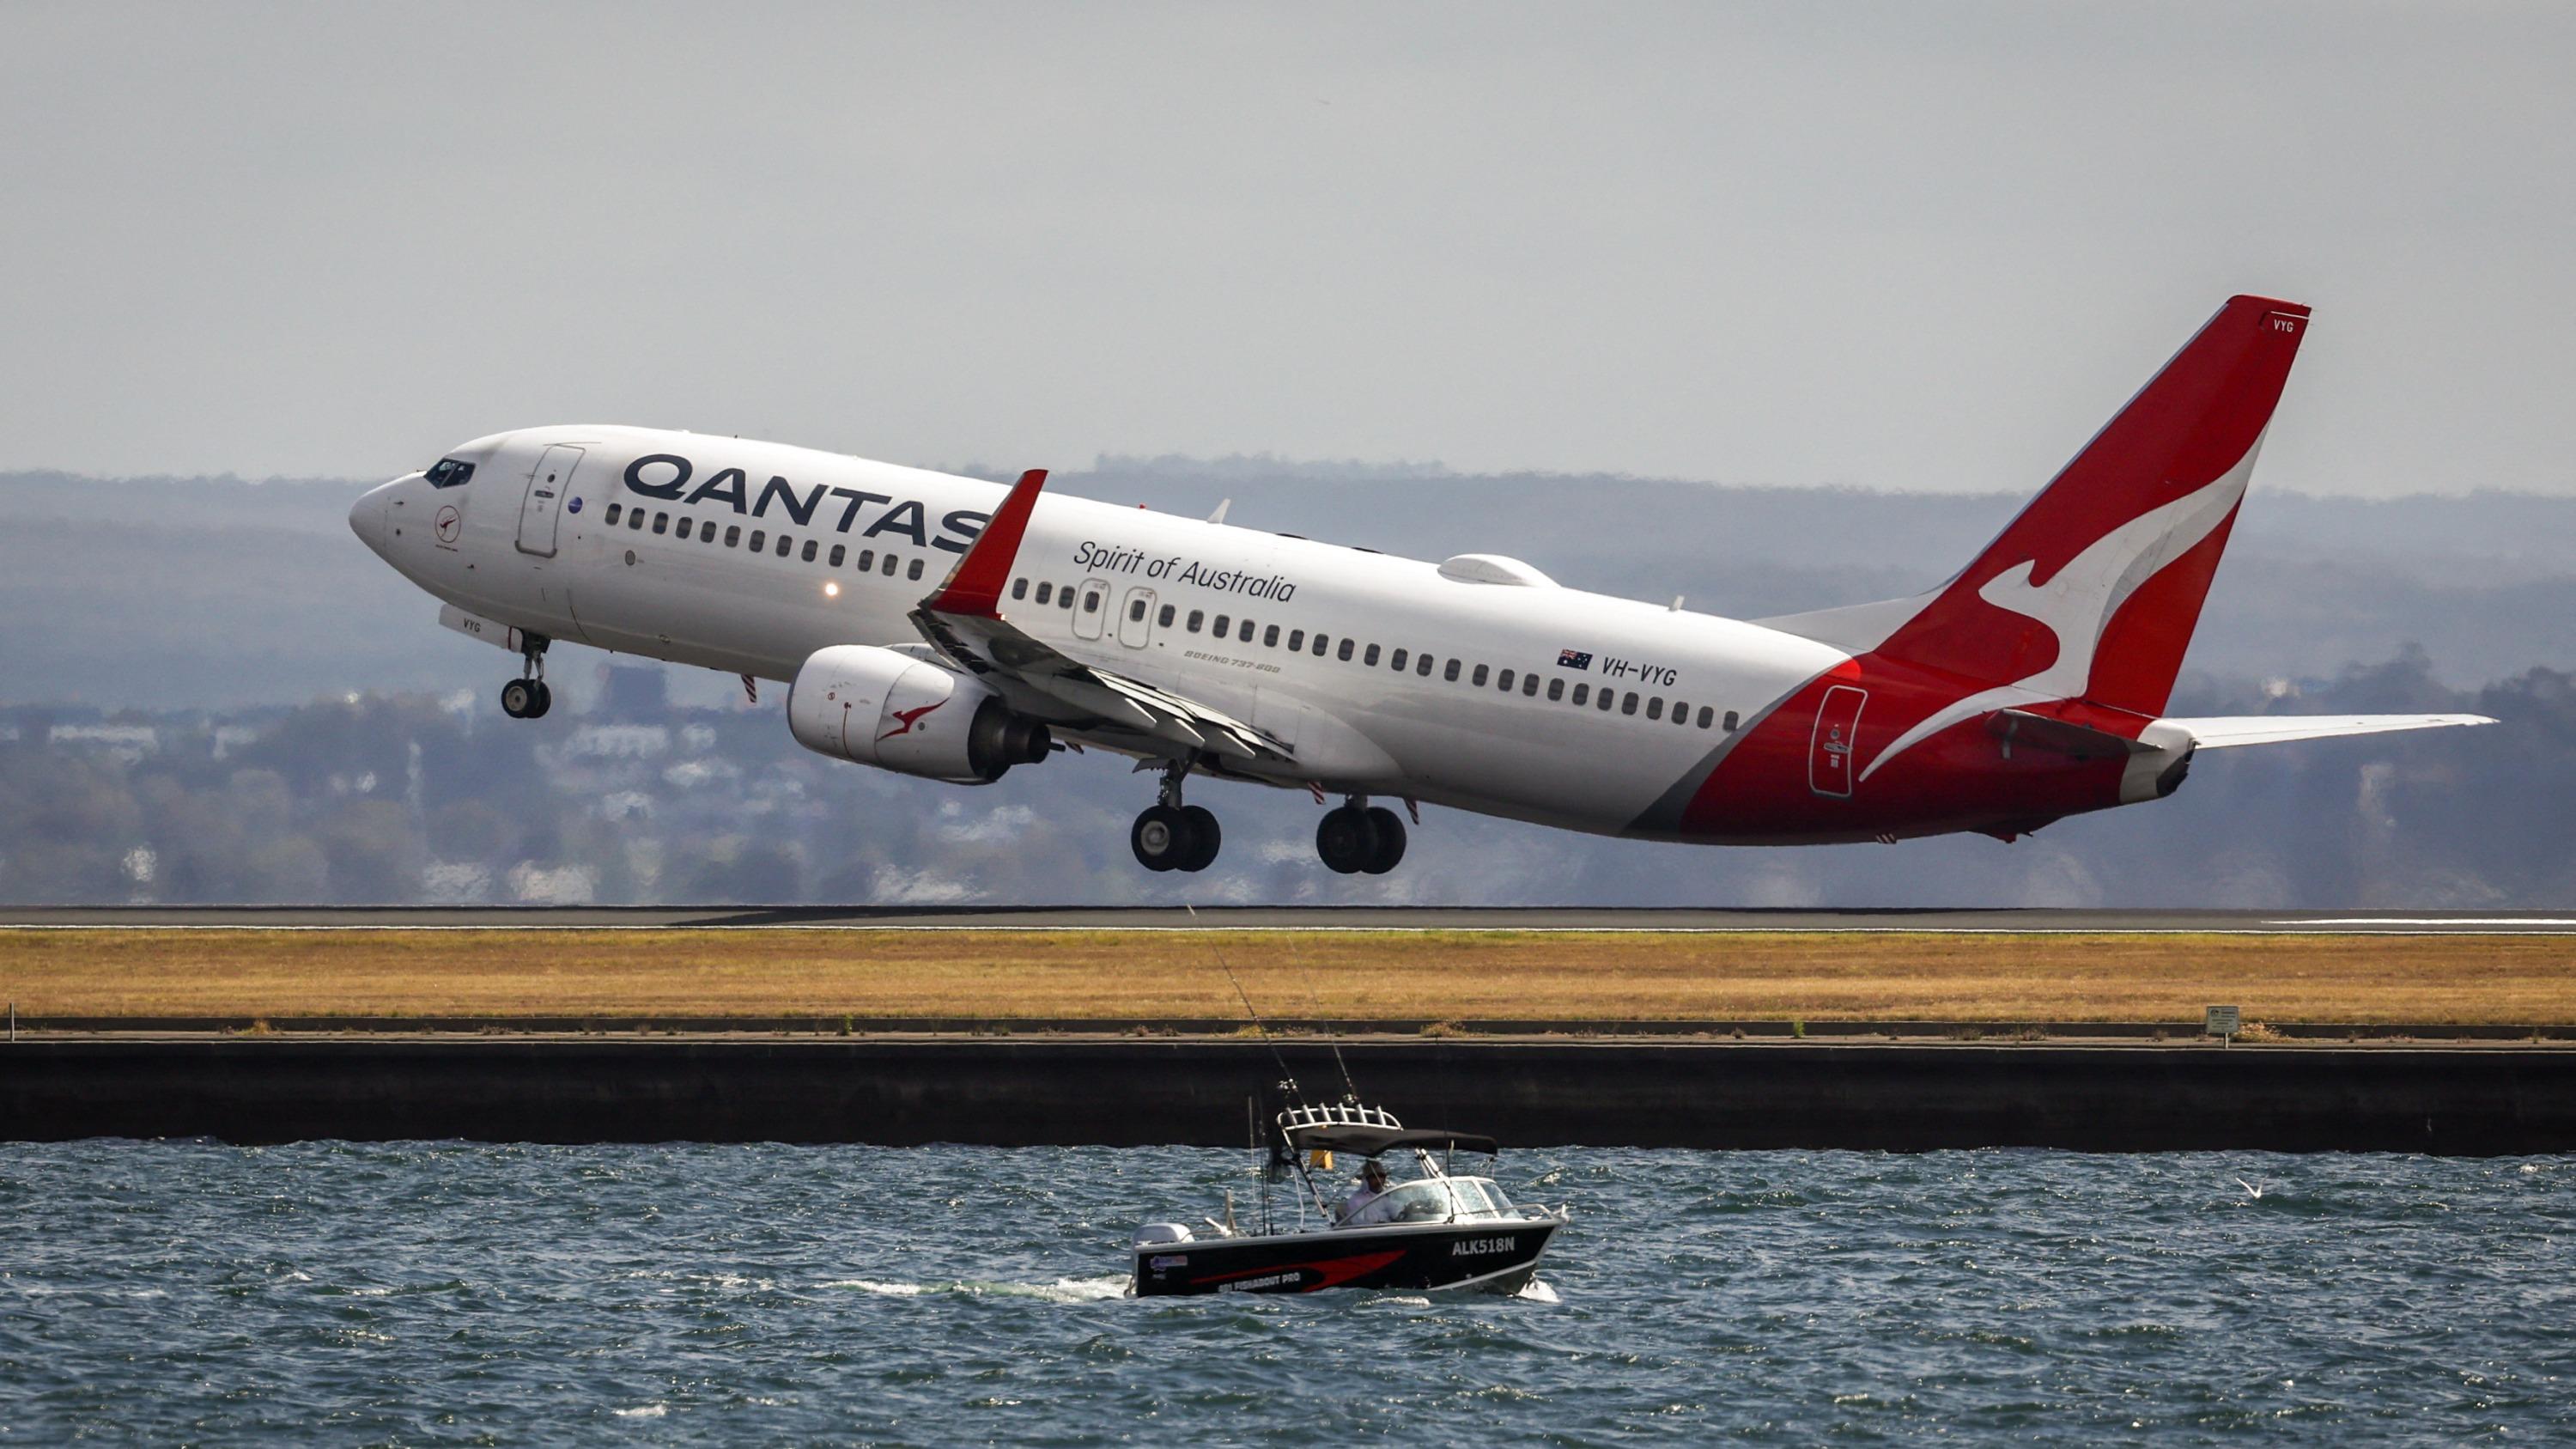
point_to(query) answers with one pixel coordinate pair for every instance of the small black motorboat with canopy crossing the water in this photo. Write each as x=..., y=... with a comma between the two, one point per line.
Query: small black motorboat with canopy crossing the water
x=1434, y=1231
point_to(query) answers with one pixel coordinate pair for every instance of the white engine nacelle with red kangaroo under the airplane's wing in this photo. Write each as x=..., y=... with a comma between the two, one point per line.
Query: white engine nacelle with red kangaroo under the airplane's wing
x=898, y=713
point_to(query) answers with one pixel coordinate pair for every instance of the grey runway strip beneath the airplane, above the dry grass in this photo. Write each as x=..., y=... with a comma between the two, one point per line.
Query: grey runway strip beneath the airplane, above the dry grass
x=1276, y=919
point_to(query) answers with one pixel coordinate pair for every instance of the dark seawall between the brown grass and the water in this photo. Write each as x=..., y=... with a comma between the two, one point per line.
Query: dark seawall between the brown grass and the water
x=1142, y=1092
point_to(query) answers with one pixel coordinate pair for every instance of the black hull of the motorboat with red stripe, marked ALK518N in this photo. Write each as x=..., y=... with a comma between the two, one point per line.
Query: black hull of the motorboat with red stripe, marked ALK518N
x=1485, y=1257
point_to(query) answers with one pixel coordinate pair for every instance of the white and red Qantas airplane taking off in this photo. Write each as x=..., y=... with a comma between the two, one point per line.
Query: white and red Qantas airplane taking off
x=949, y=628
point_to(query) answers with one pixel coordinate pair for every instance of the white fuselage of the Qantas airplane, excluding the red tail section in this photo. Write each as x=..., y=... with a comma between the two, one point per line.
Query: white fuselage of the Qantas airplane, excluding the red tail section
x=545, y=540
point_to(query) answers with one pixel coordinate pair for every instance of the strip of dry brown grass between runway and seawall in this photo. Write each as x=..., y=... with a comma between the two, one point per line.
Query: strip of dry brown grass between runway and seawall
x=1364, y=976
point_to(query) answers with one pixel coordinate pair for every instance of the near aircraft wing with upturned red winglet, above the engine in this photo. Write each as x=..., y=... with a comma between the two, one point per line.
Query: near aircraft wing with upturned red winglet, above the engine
x=965, y=623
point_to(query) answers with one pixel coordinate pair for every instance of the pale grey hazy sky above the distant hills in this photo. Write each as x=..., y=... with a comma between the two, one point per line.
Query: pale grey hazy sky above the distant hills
x=1910, y=246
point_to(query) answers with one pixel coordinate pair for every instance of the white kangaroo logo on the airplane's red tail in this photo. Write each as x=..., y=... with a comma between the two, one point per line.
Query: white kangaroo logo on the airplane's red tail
x=2083, y=597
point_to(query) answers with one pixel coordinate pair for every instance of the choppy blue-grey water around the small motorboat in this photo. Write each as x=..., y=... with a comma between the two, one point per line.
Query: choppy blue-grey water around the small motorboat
x=942, y=1296
